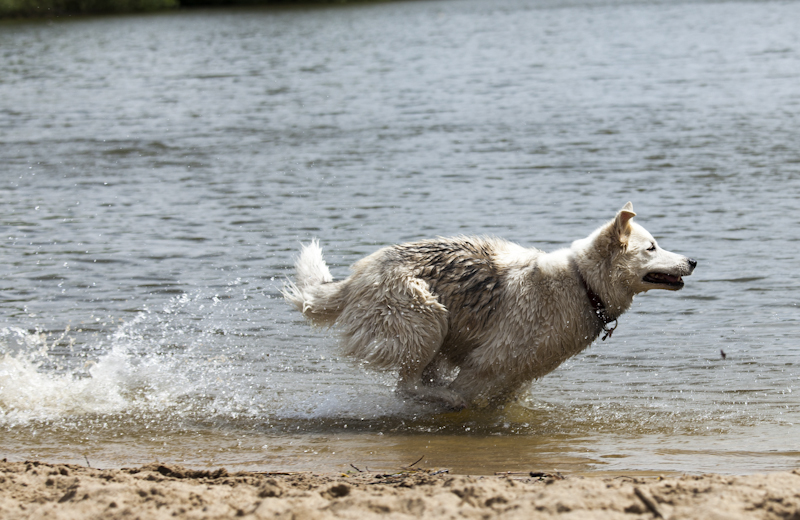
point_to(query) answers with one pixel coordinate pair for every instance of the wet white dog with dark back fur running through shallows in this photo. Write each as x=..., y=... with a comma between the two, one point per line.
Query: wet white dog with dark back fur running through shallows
x=496, y=314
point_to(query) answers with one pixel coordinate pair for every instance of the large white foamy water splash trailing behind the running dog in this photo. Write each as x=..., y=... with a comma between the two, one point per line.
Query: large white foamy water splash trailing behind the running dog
x=153, y=363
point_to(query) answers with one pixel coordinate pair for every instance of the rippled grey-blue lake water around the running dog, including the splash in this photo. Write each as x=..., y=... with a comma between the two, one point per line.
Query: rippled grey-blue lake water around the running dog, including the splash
x=158, y=172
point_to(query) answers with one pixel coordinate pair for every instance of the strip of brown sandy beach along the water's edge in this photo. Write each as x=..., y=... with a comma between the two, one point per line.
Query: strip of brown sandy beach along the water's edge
x=41, y=490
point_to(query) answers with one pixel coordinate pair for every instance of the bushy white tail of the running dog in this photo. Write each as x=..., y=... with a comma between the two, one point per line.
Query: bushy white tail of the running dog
x=314, y=293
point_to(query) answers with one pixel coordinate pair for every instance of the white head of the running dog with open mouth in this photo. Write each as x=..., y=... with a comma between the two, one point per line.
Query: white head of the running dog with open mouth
x=632, y=257
